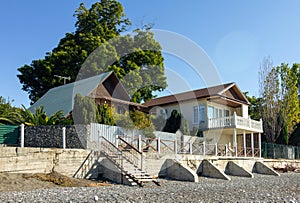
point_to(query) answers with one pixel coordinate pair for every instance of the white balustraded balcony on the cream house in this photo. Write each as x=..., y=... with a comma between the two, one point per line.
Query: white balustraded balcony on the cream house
x=235, y=122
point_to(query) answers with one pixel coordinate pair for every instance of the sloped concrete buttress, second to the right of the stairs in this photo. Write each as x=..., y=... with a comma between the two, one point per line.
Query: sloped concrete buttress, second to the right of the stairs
x=208, y=169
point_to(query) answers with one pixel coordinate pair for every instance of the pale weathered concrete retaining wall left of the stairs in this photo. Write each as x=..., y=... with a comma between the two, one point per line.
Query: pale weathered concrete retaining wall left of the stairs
x=41, y=160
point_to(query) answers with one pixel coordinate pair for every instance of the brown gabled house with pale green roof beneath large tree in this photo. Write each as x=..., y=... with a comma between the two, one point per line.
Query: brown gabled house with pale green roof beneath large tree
x=105, y=88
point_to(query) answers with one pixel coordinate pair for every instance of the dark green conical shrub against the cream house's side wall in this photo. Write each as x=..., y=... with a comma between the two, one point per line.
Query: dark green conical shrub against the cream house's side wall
x=176, y=121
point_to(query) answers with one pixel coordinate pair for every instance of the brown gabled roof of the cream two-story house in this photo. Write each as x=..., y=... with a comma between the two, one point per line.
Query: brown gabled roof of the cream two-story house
x=228, y=91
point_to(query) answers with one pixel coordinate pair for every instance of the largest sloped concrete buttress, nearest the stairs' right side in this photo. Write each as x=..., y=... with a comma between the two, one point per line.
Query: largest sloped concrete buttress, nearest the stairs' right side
x=176, y=171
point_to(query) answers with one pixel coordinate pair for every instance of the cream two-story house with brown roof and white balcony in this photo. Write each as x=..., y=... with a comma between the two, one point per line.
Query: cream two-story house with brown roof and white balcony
x=220, y=113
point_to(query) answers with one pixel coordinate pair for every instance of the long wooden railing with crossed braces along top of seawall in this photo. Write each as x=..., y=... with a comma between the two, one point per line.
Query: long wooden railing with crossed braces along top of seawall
x=158, y=145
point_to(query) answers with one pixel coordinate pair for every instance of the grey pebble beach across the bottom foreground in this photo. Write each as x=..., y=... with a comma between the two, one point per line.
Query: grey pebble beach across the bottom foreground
x=285, y=188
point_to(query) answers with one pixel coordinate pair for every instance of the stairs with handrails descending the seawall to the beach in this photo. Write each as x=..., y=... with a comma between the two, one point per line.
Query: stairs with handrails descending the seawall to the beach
x=129, y=161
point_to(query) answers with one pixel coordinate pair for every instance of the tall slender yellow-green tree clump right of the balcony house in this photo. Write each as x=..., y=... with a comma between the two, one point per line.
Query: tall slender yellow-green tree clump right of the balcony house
x=280, y=103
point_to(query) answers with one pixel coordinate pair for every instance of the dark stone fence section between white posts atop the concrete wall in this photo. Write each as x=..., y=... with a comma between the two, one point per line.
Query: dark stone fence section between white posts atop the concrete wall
x=51, y=136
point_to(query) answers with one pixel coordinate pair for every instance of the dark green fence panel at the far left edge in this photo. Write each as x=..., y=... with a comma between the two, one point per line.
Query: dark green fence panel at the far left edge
x=9, y=134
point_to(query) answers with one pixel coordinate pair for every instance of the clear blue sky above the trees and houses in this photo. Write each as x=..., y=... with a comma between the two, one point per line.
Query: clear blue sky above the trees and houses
x=235, y=34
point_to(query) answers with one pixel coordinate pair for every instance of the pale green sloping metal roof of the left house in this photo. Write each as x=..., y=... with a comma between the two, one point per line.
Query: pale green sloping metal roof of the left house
x=62, y=97
